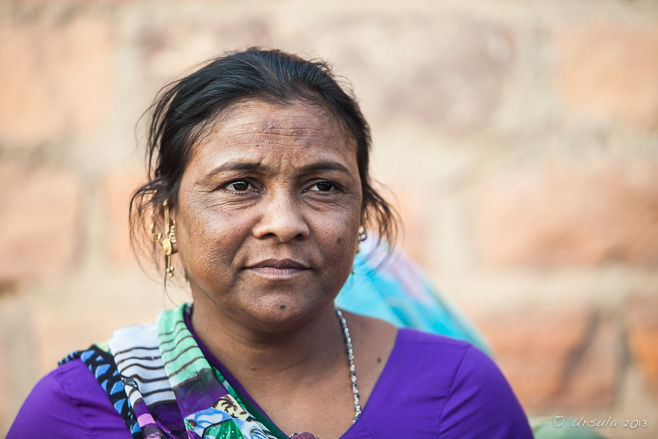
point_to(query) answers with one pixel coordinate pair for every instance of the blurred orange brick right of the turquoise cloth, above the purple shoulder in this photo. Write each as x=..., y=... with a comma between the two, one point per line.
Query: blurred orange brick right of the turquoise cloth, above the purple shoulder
x=533, y=348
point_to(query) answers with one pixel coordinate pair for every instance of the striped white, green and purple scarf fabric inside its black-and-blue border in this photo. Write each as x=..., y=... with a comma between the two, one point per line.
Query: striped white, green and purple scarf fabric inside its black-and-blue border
x=162, y=364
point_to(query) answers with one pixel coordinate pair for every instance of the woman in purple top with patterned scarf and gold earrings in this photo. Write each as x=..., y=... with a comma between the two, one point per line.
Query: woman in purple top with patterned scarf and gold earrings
x=259, y=186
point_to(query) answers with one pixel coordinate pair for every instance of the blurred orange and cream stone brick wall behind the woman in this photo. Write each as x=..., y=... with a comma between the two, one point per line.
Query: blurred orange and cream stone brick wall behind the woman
x=519, y=139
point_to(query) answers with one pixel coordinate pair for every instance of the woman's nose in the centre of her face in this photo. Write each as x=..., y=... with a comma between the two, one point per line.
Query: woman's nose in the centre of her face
x=281, y=218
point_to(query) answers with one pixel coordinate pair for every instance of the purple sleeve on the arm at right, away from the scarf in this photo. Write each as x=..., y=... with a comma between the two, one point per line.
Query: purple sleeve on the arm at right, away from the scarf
x=481, y=403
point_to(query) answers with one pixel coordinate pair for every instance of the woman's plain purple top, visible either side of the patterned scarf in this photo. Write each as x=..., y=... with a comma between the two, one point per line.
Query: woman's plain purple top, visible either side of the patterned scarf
x=431, y=387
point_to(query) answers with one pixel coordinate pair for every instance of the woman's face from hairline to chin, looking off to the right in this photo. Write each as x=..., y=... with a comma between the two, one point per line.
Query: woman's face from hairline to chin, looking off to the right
x=268, y=214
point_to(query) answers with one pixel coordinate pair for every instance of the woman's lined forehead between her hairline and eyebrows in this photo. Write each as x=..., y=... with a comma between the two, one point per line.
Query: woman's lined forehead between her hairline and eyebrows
x=252, y=126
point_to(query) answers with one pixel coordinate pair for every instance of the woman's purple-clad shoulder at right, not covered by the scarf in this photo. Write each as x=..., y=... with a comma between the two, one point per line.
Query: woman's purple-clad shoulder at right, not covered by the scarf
x=445, y=388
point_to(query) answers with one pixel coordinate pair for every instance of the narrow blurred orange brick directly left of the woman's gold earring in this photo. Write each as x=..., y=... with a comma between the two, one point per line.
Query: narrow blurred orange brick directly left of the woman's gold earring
x=118, y=187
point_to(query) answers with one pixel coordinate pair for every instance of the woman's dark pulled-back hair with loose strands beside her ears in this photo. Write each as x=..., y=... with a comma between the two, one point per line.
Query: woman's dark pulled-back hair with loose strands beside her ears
x=185, y=107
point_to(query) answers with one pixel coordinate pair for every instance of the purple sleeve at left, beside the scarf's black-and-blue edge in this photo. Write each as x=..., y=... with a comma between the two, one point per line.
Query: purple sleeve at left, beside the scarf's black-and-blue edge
x=68, y=403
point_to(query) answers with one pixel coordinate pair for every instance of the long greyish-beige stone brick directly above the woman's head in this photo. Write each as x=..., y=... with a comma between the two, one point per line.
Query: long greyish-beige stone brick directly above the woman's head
x=430, y=68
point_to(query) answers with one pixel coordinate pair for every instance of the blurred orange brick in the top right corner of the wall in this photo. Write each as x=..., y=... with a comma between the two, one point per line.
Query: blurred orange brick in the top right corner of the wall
x=610, y=70
